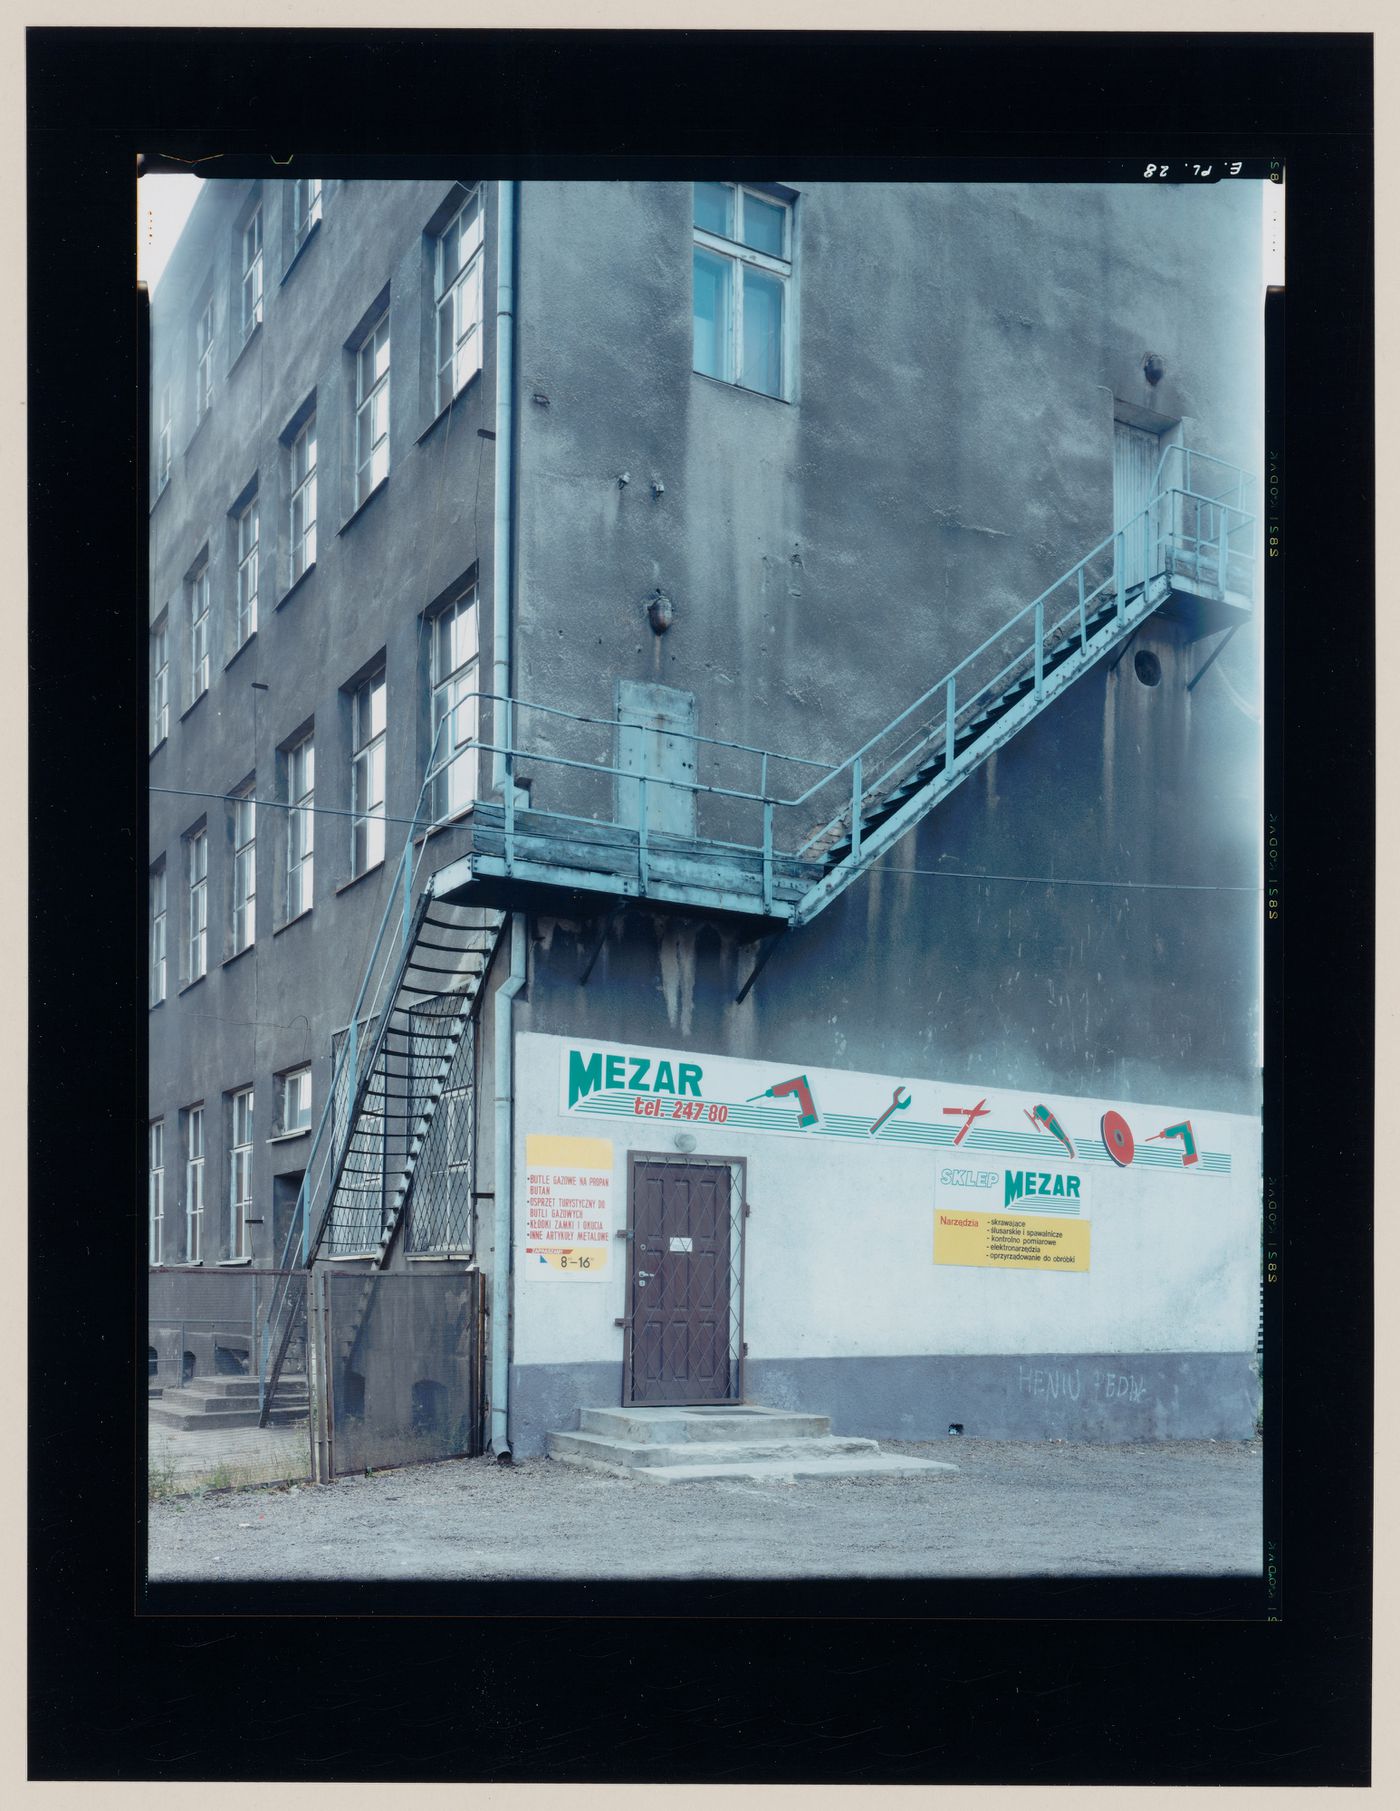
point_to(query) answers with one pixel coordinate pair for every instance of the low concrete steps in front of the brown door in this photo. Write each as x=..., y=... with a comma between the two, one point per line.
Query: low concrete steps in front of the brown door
x=693, y=1446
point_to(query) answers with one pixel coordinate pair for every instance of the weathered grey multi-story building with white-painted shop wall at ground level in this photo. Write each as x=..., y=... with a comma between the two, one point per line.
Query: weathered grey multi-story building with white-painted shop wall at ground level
x=591, y=542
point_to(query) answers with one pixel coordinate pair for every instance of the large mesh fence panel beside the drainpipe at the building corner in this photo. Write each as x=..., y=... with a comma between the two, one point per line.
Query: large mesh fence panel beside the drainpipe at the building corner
x=403, y=1357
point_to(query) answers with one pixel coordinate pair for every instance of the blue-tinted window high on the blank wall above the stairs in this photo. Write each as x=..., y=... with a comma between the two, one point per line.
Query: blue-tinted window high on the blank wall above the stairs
x=743, y=269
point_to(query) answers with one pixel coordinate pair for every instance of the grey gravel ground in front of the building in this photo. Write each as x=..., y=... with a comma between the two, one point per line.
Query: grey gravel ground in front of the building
x=1012, y=1509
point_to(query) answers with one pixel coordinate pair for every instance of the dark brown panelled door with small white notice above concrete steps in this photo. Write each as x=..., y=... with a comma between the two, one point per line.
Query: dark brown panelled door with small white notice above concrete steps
x=682, y=1298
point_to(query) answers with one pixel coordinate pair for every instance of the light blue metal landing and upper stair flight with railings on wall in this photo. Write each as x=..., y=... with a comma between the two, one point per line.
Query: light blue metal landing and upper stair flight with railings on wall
x=1187, y=555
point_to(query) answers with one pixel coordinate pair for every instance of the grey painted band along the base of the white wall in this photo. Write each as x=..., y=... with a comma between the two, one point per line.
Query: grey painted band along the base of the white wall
x=1106, y=1397
